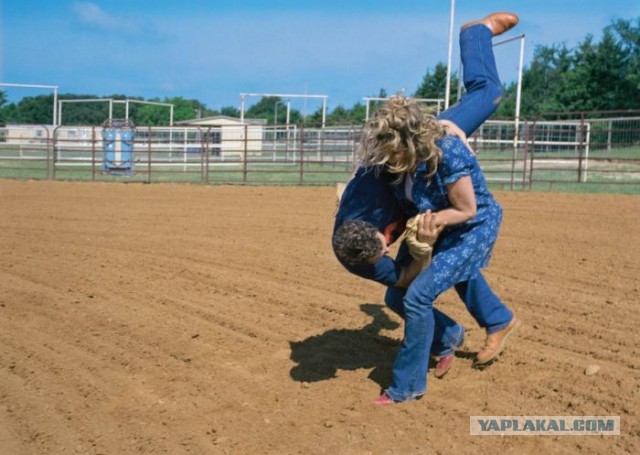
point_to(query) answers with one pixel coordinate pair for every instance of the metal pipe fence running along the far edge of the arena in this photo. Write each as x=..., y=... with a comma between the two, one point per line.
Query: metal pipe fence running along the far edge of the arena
x=562, y=153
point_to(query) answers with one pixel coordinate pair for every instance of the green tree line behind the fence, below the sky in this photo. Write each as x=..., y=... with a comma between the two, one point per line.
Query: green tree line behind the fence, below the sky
x=595, y=75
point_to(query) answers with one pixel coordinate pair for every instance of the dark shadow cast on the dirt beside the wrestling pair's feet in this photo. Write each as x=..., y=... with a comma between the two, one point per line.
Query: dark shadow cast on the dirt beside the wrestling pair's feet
x=319, y=357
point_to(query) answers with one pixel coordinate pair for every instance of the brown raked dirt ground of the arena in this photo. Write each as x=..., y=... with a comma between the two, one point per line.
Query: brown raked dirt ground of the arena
x=147, y=319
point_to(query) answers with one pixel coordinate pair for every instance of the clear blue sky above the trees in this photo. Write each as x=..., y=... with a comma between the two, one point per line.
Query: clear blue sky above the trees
x=213, y=50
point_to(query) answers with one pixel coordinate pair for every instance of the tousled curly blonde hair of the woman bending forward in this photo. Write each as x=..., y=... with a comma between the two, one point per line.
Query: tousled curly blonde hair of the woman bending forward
x=401, y=135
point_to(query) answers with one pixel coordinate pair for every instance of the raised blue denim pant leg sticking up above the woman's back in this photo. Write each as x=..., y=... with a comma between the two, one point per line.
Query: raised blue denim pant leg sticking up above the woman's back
x=482, y=83
